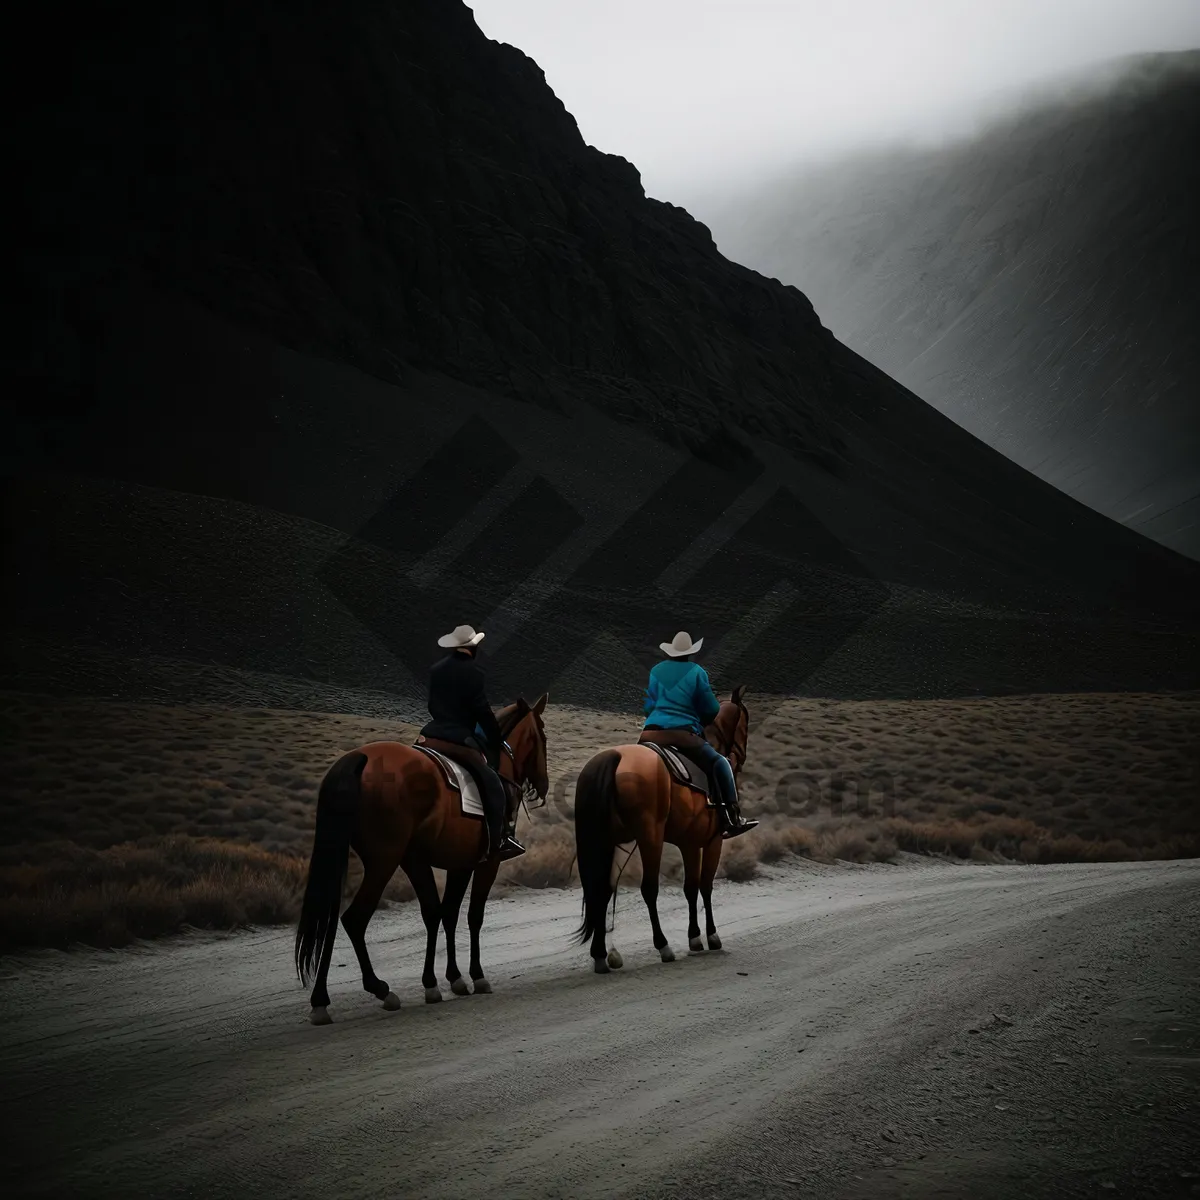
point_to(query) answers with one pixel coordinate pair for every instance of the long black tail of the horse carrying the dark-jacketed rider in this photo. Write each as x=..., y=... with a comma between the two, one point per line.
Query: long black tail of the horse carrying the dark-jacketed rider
x=338, y=806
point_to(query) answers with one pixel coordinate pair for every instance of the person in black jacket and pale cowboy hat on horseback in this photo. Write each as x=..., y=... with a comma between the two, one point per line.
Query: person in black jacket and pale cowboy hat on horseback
x=463, y=717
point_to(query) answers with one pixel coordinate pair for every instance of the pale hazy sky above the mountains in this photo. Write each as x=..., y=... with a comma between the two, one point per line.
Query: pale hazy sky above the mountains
x=694, y=92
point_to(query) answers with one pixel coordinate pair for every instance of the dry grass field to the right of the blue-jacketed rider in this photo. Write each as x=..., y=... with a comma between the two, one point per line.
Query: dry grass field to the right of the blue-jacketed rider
x=1084, y=778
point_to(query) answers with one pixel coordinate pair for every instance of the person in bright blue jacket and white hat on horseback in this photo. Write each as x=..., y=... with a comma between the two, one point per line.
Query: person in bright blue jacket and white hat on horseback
x=680, y=704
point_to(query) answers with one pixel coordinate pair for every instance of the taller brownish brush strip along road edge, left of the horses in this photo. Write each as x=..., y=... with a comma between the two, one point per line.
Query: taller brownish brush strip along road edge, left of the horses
x=146, y=890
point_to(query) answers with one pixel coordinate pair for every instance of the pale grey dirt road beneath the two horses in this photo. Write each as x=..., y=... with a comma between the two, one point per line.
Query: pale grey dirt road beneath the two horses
x=920, y=1030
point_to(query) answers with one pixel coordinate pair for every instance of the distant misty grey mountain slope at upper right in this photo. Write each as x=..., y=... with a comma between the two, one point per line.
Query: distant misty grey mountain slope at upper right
x=1037, y=284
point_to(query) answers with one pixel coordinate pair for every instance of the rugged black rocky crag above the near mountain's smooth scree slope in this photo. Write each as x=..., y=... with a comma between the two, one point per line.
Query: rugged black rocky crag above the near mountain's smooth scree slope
x=381, y=184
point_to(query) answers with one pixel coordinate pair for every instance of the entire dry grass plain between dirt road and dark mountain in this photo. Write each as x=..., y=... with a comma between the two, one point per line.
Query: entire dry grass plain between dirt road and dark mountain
x=125, y=820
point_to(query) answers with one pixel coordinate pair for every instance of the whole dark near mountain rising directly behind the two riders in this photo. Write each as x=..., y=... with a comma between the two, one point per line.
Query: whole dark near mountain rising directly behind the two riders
x=359, y=269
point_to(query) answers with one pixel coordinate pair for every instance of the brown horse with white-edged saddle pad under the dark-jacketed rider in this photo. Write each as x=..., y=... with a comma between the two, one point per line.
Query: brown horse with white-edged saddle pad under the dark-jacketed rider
x=391, y=805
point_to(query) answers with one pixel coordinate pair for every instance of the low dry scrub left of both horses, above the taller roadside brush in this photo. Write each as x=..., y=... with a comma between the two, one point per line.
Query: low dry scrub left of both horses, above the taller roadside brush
x=99, y=775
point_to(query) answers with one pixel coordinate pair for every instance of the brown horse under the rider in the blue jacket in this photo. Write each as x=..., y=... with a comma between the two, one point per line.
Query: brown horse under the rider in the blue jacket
x=627, y=795
